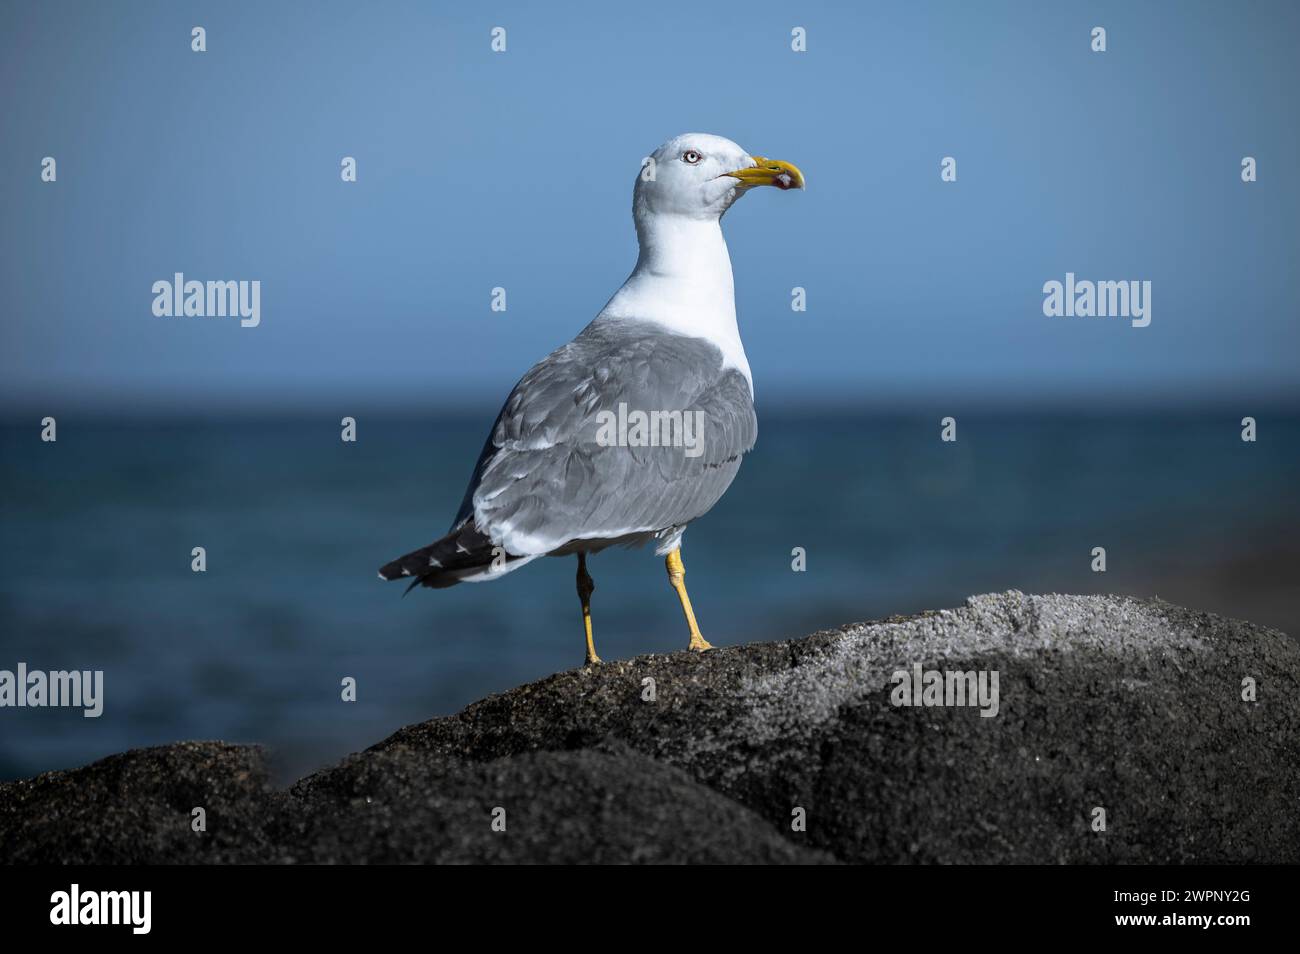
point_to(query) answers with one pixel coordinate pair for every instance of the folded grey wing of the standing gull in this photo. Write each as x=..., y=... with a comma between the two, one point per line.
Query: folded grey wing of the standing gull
x=549, y=475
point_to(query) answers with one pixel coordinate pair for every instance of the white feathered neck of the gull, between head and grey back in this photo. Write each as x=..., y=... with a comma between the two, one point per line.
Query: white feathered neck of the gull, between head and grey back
x=683, y=281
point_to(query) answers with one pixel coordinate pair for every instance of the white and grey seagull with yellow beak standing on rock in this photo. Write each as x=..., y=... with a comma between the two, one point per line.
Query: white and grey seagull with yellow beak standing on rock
x=638, y=427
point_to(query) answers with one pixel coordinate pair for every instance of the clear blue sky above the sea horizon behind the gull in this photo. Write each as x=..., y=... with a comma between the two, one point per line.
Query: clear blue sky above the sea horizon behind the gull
x=482, y=170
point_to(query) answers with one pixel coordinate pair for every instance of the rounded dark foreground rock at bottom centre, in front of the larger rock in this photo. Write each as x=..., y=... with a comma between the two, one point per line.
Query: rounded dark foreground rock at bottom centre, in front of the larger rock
x=604, y=806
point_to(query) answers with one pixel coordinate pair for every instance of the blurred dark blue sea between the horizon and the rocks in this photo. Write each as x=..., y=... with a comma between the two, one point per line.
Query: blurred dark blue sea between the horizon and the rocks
x=98, y=531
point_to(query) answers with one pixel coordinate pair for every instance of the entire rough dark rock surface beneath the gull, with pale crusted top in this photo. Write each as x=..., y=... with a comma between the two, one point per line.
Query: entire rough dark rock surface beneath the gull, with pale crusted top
x=1130, y=706
